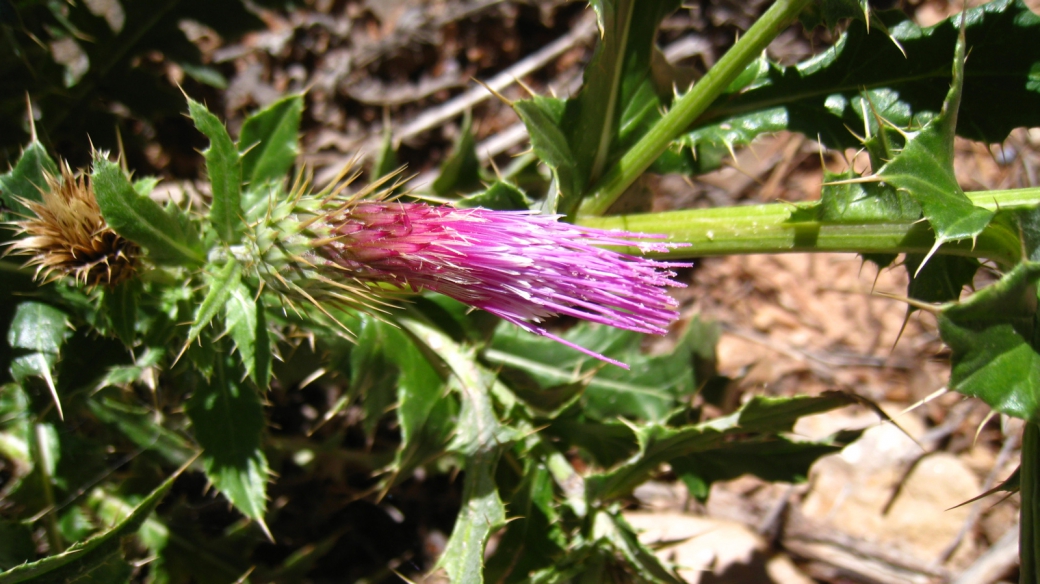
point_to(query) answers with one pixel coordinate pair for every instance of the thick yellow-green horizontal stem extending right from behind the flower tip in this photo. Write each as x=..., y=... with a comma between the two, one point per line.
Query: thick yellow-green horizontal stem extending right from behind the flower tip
x=788, y=228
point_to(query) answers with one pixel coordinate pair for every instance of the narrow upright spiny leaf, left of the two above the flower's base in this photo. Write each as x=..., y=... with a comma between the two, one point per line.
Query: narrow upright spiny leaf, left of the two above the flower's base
x=225, y=169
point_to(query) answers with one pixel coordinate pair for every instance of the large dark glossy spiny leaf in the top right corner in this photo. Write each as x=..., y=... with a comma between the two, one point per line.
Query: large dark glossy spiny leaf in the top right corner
x=824, y=97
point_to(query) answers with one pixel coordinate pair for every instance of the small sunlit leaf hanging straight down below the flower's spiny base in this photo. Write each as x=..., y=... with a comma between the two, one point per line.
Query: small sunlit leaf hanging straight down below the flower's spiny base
x=248, y=326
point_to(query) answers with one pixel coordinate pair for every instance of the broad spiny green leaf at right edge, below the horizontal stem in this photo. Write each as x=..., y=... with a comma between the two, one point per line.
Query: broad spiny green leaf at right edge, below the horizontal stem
x=994, y=339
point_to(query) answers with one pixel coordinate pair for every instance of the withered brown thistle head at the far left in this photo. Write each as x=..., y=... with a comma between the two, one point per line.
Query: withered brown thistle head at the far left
x=68, y=235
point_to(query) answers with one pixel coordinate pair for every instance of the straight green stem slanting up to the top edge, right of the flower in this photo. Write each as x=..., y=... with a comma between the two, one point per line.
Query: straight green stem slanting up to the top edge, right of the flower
x=690, y=107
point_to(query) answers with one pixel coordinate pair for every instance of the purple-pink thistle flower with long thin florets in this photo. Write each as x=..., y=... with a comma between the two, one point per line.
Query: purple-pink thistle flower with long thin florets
x=518, y=266
